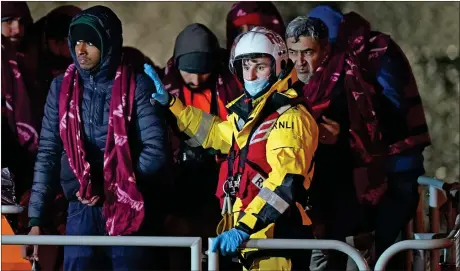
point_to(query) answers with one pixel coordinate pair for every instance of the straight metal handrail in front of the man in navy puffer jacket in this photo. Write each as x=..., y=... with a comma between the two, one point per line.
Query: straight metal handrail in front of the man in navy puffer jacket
x=193, y=242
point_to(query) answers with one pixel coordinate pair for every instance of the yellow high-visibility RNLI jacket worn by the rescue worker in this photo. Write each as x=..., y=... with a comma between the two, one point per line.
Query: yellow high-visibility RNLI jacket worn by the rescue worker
x=288, y=151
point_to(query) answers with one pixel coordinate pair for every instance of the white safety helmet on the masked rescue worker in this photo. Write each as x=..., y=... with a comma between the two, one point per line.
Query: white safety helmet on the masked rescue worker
x=256, y=42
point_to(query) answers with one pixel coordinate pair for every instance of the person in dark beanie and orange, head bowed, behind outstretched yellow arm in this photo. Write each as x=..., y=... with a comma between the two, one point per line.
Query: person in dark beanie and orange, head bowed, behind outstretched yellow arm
x=198, y=76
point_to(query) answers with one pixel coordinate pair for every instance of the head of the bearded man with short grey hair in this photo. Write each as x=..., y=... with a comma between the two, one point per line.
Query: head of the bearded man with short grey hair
x=307, y=40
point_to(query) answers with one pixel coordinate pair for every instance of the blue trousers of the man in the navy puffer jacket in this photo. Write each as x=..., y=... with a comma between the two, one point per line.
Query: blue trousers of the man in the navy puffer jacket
x=87, y=220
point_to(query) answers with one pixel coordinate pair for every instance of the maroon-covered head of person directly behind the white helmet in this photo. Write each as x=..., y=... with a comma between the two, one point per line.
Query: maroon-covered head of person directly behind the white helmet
x=245, y=15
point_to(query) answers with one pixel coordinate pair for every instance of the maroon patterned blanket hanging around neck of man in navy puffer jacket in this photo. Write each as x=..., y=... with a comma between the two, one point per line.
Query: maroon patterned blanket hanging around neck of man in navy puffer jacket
x=123, y=203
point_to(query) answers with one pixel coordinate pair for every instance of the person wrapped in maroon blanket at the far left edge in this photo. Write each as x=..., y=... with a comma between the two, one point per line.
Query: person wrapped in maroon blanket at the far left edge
x=20, y=118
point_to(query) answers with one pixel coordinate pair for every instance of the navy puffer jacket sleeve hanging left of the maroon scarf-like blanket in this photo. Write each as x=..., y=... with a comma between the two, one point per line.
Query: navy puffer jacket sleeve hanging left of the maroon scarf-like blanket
x=46, y=173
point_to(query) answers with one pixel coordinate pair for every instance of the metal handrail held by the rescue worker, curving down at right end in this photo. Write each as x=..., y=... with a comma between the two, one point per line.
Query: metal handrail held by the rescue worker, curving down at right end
x=213, y=258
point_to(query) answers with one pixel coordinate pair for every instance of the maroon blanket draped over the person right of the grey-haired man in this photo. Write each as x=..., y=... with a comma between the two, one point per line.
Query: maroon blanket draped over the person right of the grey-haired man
x=355, y=51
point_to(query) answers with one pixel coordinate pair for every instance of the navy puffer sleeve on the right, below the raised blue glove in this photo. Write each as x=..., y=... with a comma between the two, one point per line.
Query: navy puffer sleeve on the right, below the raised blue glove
x=150, y=129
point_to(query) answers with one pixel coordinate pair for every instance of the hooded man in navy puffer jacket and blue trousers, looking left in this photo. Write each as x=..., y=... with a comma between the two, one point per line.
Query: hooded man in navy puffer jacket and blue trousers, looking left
x=95, y=42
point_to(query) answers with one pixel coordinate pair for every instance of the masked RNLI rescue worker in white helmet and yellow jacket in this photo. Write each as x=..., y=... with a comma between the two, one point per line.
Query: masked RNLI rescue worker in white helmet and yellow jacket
x=270, y=139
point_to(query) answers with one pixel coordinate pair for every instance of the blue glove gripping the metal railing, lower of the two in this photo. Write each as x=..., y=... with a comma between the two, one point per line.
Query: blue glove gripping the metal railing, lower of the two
x=229, y=241
